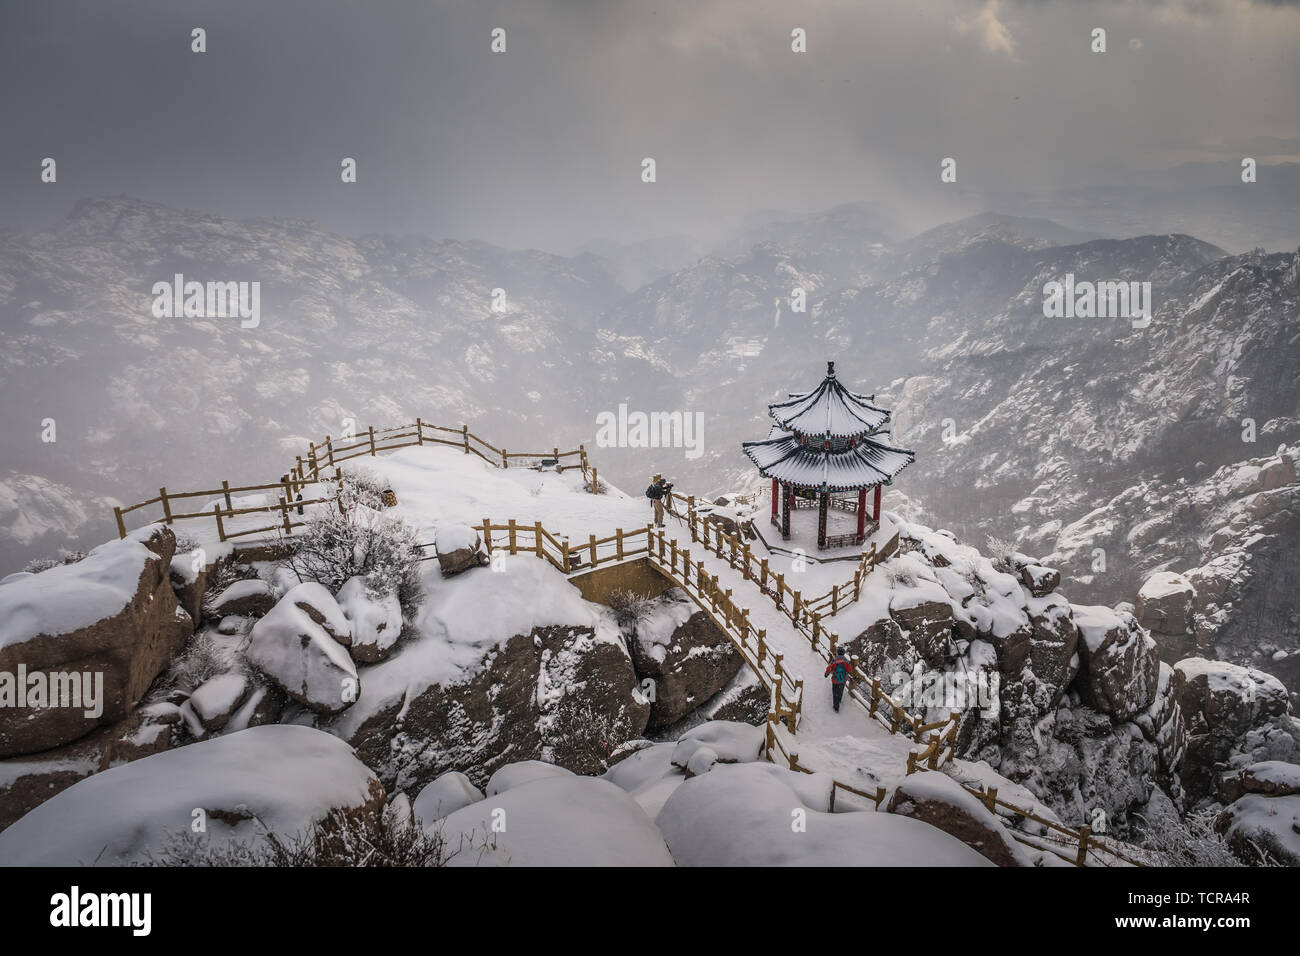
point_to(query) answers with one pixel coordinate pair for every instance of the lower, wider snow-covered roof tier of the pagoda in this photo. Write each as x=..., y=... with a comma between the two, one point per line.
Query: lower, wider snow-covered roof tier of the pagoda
x=788, y=460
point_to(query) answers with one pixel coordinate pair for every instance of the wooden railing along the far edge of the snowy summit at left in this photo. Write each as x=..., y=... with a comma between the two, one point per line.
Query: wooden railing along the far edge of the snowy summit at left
x=302, y=486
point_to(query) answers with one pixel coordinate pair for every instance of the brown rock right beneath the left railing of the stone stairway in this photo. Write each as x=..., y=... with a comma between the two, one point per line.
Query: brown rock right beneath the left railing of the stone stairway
x=699, y=661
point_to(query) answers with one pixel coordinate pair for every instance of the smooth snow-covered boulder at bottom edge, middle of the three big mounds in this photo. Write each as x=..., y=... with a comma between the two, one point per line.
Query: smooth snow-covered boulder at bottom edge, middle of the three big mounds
x=560, y=821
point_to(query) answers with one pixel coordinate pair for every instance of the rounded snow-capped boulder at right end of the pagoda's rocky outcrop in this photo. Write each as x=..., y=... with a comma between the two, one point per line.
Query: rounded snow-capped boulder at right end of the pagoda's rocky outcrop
x=1120, y=664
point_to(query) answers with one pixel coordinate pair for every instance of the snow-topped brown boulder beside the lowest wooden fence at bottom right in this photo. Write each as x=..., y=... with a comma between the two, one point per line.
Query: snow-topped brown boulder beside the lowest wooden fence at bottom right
x=942, y=802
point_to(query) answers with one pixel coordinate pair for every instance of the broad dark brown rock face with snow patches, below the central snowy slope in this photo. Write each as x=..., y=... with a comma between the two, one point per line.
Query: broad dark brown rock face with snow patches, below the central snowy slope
x=556, y=694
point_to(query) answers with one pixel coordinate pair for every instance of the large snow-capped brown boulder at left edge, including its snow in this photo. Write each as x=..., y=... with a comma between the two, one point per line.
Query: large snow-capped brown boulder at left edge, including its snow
x=89, y=638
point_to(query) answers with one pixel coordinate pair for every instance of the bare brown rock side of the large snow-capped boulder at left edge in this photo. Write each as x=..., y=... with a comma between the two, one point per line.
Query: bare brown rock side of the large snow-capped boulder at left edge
x=127, y=650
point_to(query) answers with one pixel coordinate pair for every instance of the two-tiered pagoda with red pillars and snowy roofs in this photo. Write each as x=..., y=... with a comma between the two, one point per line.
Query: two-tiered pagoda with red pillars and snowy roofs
x=825, y=447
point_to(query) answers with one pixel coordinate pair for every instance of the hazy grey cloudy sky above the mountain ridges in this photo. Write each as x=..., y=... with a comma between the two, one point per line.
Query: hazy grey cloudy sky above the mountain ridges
x=543, y=145
